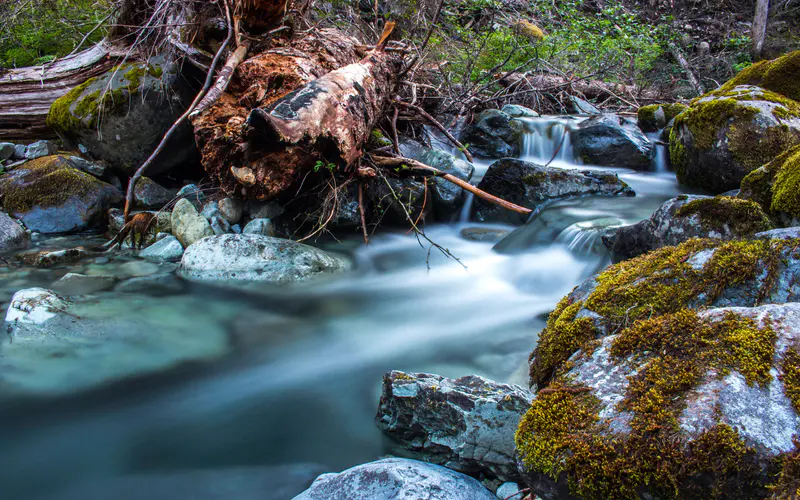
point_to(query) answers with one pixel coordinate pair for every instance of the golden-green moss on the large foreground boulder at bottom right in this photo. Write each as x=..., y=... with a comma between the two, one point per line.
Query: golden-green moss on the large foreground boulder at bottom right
x=562, y=435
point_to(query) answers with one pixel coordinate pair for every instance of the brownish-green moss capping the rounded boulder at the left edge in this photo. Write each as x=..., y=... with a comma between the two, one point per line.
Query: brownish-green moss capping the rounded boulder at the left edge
x=48, y=181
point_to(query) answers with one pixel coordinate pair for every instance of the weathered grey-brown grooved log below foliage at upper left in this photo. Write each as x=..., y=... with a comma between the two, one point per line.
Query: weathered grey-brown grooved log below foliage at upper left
x=27, y=93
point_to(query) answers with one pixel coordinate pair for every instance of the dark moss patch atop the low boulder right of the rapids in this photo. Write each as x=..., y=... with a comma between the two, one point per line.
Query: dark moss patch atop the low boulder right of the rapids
x=743, y=217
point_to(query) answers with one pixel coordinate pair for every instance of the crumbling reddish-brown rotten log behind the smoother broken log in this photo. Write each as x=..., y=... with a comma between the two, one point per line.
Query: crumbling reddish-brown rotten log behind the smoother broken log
x=221, y=132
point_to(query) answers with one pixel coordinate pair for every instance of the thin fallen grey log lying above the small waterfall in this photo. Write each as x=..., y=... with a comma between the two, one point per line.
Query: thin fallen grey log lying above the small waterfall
x=592, y=89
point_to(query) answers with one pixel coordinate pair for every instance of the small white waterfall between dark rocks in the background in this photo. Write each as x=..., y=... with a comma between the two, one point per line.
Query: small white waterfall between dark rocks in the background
x=548, y=138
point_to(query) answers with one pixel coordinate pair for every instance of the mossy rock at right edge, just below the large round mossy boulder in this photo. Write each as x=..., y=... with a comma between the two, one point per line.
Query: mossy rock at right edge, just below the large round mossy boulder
x=776, y=187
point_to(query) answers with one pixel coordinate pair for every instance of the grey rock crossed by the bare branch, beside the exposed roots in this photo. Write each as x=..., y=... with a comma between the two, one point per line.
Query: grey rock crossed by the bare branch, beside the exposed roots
x=447, y=197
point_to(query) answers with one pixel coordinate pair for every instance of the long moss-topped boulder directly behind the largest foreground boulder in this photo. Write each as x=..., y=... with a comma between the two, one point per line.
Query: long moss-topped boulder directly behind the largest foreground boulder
x=699, y=273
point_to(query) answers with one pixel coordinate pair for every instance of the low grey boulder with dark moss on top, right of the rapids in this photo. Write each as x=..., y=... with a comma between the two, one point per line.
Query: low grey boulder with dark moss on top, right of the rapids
x=688, y=216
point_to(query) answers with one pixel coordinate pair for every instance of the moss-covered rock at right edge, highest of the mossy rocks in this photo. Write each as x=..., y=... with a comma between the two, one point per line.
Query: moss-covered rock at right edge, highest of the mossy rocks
x=778, y=75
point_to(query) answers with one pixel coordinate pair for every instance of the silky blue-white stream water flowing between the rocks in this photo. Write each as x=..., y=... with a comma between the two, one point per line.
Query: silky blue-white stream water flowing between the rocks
x=301, y=381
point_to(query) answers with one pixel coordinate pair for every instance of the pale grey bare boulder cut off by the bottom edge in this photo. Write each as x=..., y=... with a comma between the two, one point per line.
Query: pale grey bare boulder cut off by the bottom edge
x=398, y=479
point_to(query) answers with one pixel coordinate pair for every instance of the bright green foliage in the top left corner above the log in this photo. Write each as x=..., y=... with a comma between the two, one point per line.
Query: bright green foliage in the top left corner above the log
x=40, y=31
